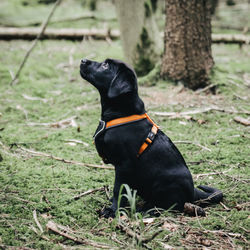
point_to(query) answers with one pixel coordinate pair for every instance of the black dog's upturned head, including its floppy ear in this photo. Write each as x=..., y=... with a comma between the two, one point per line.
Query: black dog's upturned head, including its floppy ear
x=111, y=77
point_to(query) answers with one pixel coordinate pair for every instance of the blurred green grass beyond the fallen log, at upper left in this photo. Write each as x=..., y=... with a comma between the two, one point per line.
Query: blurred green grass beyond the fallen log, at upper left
x=33, y=13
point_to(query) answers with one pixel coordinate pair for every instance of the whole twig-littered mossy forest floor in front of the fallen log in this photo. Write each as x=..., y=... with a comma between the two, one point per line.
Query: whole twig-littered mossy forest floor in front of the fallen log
x=53, y=183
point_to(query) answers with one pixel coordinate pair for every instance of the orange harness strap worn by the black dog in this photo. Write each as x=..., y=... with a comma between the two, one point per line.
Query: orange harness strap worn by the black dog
x=134, y=118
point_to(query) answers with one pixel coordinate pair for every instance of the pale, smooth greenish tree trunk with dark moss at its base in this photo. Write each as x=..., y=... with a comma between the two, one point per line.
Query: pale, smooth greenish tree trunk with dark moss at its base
x=139, y=34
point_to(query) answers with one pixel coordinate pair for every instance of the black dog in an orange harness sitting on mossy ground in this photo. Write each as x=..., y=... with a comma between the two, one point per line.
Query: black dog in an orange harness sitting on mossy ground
x=143, y=156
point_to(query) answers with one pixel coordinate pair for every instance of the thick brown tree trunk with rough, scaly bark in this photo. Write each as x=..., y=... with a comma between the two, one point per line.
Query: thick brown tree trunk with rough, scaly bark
x=187, y=56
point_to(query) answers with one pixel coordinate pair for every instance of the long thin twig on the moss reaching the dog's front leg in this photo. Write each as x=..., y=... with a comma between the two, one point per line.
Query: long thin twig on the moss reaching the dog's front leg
x=40, y=154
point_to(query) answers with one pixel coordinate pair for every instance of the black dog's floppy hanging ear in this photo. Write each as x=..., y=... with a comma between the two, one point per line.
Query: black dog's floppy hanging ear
x=123, y=83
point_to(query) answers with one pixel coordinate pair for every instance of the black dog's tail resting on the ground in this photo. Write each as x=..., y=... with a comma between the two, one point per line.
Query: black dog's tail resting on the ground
x=207, y=195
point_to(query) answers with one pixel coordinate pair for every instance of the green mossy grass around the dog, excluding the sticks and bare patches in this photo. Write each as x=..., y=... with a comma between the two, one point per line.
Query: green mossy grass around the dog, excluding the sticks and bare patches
x=31, y=183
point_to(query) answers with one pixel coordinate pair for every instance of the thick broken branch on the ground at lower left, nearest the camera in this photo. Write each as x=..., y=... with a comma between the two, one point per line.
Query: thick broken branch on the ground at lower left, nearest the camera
x=67, y=234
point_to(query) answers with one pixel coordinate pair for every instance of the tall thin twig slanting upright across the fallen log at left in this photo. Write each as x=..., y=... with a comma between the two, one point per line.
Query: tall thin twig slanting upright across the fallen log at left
x=33, y=45
